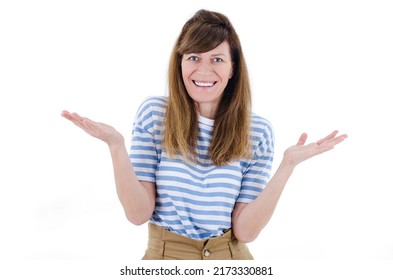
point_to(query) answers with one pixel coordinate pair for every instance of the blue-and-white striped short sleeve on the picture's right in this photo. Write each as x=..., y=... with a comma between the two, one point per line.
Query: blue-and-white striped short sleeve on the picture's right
x=257, y=171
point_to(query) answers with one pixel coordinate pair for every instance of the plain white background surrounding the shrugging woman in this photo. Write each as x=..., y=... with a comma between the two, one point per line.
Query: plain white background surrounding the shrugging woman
x=315, y=66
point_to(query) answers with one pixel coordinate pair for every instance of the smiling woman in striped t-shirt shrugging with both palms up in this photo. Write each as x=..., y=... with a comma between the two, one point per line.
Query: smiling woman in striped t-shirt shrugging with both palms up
x=199, y=158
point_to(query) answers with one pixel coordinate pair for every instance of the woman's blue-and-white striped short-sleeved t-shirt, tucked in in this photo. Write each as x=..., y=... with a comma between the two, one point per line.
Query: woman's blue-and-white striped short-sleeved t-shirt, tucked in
x=197, y=199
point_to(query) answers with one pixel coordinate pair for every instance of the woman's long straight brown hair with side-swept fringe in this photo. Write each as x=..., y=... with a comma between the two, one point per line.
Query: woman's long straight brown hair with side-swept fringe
x=231, y=136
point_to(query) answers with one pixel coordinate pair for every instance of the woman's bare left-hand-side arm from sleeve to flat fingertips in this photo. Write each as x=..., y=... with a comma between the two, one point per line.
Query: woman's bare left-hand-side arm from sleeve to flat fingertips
x=137, y=197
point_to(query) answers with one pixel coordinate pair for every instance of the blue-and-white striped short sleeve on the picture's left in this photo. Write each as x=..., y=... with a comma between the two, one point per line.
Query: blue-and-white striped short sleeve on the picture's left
x=143, y=150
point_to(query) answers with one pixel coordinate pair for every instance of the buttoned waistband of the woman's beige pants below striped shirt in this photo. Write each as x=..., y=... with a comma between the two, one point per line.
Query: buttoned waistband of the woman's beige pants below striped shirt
x=166, y=235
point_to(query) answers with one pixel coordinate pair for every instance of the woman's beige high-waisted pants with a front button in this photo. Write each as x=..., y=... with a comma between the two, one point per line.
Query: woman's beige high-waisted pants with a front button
x=166, y=245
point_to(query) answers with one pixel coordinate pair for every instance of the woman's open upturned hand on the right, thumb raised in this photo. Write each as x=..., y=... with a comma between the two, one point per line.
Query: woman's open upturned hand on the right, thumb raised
x=300, y=152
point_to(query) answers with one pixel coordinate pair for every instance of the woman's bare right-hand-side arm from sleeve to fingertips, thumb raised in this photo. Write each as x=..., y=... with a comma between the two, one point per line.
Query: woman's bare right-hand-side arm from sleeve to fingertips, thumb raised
x=249, y=219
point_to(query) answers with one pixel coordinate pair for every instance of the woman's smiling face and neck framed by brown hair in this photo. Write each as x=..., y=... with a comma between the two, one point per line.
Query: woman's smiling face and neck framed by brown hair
x=205, y=77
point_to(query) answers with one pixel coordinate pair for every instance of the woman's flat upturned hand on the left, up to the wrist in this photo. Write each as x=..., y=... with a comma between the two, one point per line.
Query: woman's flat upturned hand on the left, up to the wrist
x=98, y=130
